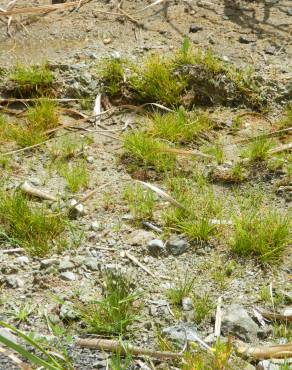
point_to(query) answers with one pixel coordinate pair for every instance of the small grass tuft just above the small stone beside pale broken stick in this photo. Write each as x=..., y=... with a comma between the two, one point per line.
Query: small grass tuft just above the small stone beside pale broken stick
x=76, y=175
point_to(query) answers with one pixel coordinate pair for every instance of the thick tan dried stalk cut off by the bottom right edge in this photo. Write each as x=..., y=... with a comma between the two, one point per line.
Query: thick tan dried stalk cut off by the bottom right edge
x=267, y=352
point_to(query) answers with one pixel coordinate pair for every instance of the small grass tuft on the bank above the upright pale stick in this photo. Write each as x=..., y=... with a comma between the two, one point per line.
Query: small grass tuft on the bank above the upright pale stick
x=113, y=74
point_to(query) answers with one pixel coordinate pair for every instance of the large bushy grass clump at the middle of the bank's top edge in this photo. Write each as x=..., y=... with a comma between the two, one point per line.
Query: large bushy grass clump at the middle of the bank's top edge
x=156, y=81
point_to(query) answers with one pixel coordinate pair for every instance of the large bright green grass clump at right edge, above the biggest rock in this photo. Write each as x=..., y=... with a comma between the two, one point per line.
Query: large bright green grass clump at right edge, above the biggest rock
x=261, y=232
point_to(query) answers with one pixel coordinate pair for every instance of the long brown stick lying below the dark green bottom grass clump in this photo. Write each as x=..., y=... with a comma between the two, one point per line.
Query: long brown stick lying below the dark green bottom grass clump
x=115, y=345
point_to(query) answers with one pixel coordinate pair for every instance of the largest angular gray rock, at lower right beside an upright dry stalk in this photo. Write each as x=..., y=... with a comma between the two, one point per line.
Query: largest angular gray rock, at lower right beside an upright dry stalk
x=237, y=321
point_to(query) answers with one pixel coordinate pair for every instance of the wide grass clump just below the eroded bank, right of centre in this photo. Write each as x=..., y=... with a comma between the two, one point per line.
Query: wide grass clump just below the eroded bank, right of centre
x=181, y=126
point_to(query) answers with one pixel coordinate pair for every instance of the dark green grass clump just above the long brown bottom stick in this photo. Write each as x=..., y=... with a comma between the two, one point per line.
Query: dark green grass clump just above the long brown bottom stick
x=115, y=311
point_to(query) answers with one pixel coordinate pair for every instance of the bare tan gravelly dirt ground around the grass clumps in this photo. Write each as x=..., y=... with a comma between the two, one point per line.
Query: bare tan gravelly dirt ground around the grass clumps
x=257, y=33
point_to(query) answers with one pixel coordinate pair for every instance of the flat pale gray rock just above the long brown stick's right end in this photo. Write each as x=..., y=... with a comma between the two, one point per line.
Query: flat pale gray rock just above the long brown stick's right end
x=181, y=332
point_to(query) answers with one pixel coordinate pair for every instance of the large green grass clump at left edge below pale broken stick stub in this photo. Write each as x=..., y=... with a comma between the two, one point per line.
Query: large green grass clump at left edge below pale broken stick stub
x=31, y=226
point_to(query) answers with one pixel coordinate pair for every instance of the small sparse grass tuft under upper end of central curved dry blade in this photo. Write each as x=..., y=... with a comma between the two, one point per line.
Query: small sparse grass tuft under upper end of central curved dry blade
x=141, y=201
